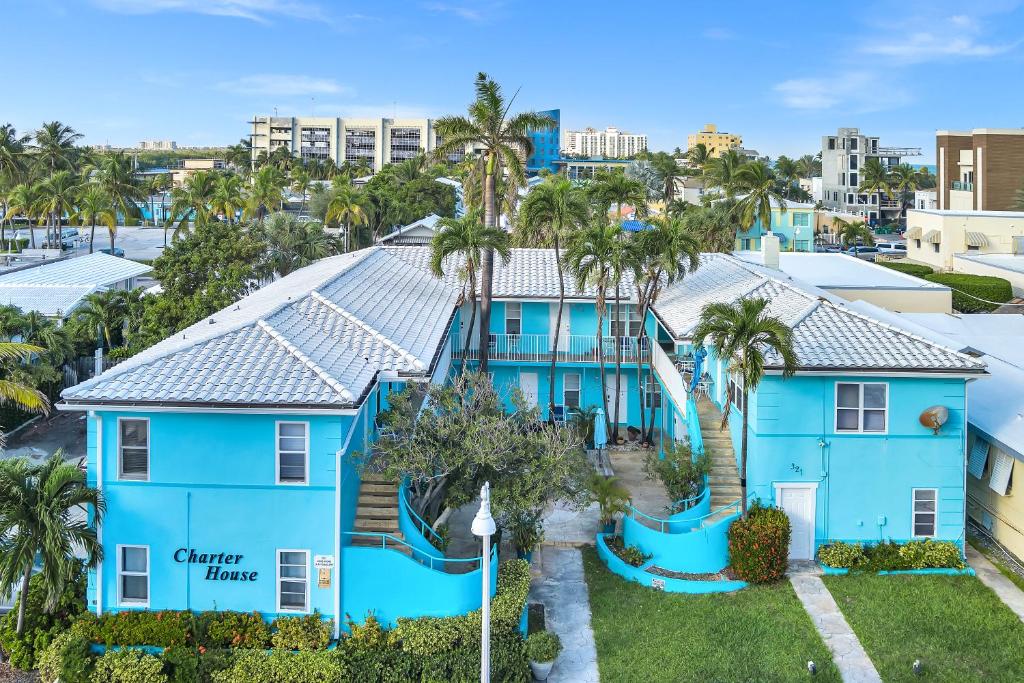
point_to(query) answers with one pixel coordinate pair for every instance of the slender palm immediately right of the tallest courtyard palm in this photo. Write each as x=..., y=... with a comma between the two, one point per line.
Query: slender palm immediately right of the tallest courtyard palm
x=550, y=214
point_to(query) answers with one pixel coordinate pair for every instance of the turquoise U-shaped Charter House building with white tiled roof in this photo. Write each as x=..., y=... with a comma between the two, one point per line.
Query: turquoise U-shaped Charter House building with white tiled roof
x=229, y=453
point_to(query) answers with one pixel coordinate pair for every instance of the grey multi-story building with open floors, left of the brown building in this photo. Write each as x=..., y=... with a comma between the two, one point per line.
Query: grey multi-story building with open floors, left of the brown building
x=843, y=157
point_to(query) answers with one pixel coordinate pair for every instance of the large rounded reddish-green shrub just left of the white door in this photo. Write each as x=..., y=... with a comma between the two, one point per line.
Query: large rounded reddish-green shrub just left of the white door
x=759, y=545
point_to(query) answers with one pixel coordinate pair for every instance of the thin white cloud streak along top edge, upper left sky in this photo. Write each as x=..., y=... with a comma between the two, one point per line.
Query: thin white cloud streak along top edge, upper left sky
x=254, y=11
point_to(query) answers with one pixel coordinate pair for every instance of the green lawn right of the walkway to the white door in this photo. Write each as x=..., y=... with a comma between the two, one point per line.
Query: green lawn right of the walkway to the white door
x=957, y=627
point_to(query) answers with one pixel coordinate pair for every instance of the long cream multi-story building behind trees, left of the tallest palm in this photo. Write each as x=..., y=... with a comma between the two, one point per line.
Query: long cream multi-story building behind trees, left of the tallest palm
x=374, y=142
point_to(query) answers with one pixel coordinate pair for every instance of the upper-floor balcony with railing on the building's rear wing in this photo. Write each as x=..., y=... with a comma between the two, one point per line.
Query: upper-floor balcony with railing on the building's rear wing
x=537, y=349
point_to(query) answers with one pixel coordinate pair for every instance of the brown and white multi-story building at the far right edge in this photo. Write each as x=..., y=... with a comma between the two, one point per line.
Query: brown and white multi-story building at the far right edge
x=979, y=170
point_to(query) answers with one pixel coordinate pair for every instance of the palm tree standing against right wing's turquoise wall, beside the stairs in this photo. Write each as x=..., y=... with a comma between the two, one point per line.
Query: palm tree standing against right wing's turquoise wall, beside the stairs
x=743, y=334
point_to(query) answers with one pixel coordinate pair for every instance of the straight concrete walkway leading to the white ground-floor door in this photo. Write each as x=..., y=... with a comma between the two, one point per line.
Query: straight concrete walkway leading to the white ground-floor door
x=851, y=660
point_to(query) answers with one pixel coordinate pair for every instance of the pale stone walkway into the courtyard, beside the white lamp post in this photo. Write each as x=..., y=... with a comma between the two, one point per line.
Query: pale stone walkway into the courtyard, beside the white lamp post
x=567, y=606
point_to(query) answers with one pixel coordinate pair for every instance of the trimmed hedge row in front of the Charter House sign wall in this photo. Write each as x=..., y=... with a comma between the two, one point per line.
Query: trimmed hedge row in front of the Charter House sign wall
x=428, y=650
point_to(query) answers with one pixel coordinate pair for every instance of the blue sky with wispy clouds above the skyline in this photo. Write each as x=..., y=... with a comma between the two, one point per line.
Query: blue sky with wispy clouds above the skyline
x=780, y=74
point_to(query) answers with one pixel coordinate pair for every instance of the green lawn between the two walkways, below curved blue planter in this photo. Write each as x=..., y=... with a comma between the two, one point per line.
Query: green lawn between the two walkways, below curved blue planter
x=759, y=634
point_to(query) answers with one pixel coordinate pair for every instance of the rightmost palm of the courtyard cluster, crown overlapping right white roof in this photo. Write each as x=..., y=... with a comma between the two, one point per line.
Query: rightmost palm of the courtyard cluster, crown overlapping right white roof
x=665, y=254
